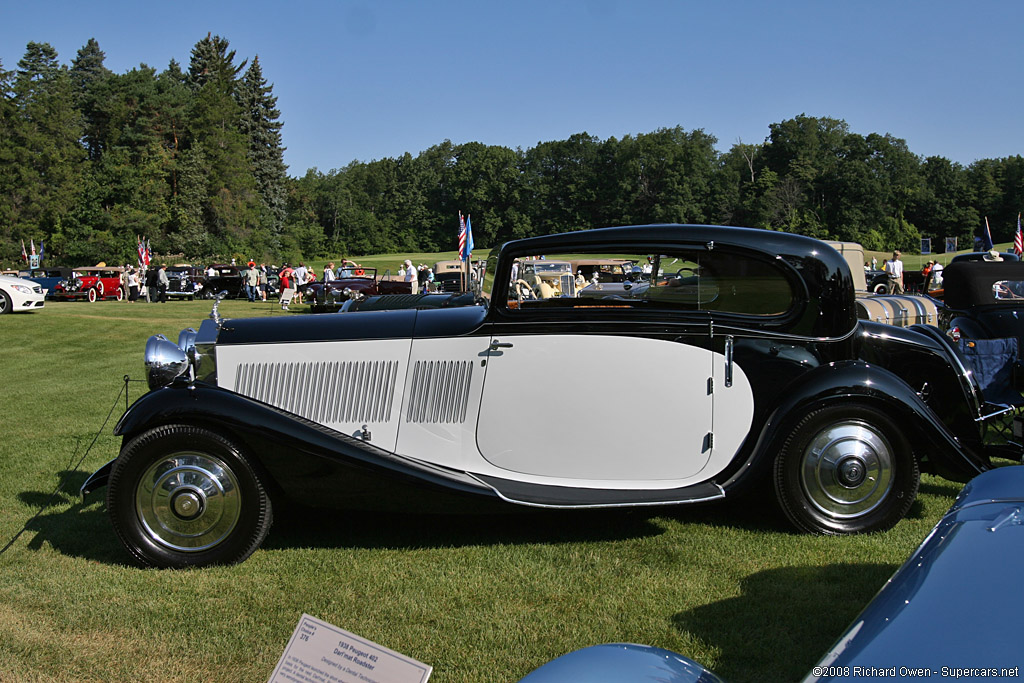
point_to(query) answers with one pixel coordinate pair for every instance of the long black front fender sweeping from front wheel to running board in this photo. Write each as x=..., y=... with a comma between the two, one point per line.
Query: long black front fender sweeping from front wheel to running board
x=308, y=462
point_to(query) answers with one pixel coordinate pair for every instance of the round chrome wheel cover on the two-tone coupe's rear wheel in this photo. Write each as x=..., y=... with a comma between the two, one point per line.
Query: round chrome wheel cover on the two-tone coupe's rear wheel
x=847, y=469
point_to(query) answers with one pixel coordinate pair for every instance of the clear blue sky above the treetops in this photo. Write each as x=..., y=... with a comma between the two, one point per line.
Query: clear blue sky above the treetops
x=364, y=80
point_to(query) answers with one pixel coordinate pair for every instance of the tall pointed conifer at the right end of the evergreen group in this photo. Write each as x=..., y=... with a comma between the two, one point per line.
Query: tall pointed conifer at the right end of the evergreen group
x=261, y=125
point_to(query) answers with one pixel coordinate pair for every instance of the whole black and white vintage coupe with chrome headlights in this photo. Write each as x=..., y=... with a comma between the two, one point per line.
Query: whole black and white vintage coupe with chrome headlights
x=752, y=368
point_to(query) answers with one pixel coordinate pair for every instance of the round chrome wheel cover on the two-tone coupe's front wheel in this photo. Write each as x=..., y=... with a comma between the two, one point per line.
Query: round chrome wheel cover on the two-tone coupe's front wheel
x=189, y=502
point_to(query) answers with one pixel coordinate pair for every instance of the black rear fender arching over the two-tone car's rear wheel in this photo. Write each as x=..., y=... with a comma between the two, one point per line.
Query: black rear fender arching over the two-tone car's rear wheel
x=857, y=381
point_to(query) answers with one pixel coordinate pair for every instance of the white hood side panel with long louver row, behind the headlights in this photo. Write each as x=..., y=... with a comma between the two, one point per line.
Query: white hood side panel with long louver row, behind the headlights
x=344, y=386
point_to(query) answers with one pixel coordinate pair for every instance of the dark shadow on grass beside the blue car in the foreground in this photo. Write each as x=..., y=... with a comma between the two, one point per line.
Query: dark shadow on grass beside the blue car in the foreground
x=785, y=621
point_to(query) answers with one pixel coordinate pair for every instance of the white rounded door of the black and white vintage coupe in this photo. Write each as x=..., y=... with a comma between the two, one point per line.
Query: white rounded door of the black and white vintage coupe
x=598, y=408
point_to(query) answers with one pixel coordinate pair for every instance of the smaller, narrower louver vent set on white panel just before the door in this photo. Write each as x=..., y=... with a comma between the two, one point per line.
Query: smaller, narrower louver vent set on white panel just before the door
x=440, y=392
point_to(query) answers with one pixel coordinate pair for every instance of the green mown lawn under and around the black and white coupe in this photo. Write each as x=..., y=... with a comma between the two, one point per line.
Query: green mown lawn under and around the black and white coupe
x=479, y=599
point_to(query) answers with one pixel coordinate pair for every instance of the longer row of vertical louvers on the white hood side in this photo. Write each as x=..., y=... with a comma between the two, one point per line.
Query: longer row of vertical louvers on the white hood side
x=322, y=392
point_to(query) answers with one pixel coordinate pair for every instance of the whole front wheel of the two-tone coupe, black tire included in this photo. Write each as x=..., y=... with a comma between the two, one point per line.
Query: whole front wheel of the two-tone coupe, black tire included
x=182, y=496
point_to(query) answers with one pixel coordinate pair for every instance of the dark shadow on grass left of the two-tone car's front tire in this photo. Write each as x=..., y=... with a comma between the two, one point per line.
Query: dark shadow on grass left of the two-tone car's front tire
x=80, y=531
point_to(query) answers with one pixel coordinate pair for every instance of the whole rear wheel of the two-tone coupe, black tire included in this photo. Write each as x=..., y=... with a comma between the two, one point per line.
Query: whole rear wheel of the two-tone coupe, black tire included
x=846, y=469
